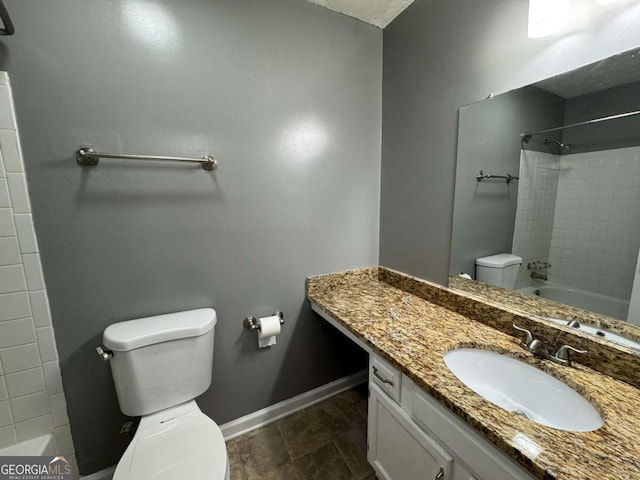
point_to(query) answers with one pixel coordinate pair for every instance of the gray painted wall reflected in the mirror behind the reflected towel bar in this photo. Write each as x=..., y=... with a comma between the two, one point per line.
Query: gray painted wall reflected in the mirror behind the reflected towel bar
x=489, y=140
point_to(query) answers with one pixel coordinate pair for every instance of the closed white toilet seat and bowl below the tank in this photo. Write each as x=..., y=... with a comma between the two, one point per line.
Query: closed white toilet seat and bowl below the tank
x=173, y=444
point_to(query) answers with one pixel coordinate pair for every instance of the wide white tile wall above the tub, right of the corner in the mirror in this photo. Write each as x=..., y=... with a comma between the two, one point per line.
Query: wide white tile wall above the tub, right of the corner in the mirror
x=596, y=231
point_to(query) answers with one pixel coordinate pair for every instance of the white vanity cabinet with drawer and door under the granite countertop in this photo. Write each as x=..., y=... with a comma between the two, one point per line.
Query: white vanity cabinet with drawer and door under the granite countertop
x=413, y=437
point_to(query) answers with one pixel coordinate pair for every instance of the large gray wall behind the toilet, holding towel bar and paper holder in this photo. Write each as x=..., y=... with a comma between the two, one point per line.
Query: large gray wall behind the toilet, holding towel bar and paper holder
x=285, y=94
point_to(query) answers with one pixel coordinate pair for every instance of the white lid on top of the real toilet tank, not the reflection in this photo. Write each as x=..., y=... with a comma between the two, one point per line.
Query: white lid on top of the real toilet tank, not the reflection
x=125, y=336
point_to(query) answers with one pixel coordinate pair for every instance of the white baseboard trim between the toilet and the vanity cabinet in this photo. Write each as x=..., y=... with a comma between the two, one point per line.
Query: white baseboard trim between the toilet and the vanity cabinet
x=258, y=419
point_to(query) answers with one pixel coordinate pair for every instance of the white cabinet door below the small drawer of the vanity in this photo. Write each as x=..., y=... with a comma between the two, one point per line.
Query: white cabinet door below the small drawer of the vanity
x=398, y=448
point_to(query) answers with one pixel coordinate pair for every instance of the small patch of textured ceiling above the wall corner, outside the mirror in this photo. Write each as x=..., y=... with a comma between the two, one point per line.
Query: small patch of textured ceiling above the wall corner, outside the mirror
x=376, y=12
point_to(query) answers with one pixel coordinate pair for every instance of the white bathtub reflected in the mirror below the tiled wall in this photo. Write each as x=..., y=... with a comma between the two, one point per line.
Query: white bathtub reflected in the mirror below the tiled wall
x=594, y=302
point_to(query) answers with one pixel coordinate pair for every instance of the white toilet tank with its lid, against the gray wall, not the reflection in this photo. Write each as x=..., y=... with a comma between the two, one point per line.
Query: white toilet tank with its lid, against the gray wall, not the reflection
x=161, y=361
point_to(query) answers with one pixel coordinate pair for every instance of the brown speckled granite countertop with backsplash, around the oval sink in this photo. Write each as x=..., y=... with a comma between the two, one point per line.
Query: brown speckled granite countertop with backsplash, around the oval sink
x=413, y=323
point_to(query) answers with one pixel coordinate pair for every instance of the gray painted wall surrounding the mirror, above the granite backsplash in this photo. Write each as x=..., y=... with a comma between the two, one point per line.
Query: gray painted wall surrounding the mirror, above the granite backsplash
x=440, y=55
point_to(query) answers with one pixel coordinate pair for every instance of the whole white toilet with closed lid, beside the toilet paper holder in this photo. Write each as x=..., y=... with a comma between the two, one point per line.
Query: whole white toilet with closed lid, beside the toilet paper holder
x=159, y=365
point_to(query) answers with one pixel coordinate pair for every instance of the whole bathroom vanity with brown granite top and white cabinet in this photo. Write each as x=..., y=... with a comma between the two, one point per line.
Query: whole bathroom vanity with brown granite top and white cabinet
x=425, y=423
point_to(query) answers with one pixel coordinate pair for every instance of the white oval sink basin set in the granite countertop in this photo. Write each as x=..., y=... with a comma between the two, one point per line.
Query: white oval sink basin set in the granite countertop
x=523, y=389
